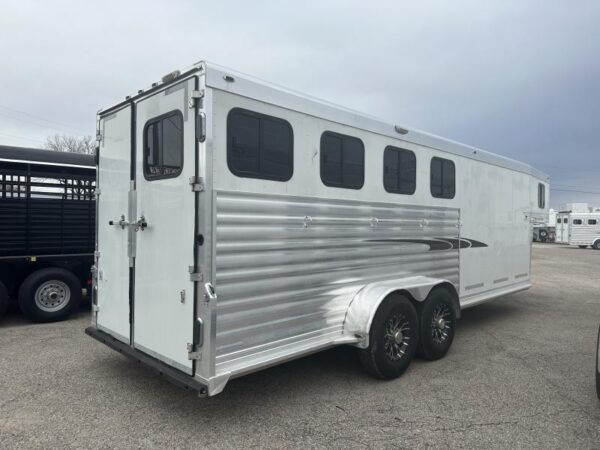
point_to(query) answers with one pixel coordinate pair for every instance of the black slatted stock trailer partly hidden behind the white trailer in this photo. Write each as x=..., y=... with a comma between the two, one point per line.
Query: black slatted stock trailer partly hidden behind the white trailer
x=47, y=230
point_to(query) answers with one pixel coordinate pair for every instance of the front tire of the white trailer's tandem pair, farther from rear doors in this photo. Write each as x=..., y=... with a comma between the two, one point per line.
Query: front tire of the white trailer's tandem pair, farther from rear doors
x=437, y=324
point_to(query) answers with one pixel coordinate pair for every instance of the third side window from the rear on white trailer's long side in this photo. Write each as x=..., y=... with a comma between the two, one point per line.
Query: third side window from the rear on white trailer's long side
x=399, y=171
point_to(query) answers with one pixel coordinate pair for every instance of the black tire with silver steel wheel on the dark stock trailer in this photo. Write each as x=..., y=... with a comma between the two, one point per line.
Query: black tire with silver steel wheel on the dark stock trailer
x=49, y=295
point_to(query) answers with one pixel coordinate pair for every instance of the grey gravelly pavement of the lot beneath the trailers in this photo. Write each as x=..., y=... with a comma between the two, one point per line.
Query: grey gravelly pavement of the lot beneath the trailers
x=520, y=374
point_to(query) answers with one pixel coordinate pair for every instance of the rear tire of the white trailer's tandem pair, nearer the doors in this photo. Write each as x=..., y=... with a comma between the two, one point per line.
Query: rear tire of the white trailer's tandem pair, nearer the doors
x=389, y=354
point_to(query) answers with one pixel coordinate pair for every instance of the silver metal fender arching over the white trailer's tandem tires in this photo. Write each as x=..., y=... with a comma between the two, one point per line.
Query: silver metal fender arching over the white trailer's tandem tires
x=363, y=306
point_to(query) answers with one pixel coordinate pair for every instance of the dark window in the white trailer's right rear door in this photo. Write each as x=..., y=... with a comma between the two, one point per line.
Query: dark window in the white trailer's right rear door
x=163, y=146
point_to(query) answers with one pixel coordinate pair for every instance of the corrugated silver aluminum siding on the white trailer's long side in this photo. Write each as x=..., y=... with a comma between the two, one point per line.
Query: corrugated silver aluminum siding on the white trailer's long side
x=287, y=267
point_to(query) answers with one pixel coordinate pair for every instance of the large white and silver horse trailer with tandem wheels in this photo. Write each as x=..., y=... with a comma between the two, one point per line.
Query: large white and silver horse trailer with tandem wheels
x=241, y=225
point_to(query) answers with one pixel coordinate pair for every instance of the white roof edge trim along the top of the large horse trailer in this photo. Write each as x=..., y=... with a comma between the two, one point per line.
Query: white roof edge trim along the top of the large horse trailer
x=228, y=80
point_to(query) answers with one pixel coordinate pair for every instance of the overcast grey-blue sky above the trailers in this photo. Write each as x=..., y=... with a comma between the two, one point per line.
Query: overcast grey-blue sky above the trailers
x=519, y=78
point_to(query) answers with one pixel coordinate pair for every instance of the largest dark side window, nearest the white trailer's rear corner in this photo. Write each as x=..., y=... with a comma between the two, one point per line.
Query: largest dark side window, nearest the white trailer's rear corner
x=259, y=146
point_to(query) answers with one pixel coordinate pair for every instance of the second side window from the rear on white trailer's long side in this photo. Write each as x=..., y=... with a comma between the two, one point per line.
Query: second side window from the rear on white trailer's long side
x=342, y=161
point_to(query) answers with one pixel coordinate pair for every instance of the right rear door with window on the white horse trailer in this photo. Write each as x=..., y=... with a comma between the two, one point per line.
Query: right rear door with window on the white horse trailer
x=164, y=205
